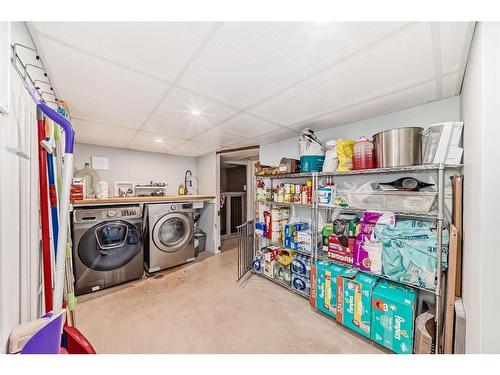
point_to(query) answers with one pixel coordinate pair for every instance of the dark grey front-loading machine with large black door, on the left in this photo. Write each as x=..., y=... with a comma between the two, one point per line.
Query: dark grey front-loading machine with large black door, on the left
x=108, y=246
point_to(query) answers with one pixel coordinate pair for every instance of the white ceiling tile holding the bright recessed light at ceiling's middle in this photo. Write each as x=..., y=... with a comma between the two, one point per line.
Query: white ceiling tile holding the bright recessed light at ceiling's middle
x=174, y=116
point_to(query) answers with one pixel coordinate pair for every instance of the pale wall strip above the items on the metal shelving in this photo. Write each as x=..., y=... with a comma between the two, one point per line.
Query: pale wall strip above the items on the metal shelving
x=422, y=115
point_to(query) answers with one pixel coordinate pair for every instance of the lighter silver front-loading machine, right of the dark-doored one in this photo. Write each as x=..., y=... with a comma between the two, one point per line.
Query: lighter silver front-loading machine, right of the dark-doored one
x=169, y=232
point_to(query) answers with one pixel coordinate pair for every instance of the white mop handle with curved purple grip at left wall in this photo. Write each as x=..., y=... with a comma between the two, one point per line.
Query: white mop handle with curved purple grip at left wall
x=69, y=134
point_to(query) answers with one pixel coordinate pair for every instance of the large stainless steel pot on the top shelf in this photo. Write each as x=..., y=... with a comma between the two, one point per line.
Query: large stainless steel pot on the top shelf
x=398, y=147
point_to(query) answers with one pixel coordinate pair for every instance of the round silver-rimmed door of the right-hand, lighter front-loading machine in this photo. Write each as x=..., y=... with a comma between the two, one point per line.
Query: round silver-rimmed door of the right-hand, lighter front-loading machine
x=173, y=232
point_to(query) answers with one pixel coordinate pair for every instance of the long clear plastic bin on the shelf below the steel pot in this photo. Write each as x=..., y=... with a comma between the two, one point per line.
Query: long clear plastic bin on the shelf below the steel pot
x=417, y=202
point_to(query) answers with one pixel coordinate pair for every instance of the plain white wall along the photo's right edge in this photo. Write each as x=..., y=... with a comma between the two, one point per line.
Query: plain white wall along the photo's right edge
x=479, y=107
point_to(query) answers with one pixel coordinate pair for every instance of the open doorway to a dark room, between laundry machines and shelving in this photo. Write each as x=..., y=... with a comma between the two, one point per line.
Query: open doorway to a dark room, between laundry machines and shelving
x=235, y=194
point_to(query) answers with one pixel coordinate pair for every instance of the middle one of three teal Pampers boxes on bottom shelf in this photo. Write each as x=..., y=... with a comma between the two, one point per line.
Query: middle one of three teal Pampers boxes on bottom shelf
x=354, y=292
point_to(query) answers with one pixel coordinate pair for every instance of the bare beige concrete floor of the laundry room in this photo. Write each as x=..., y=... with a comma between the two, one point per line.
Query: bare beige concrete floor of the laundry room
x=200, y=308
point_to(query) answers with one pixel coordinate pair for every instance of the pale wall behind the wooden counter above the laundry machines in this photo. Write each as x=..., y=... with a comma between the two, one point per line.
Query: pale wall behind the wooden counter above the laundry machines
x=139, y=166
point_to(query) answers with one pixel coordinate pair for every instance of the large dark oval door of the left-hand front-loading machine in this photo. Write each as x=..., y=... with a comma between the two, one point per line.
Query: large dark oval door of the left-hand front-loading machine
x=110, y=245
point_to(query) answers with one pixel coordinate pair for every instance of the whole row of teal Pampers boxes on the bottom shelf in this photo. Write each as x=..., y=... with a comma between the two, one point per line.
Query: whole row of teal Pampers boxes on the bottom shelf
x=378, y=309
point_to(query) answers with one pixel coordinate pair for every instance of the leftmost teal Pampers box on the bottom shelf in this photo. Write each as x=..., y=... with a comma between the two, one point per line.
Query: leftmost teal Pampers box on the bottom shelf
x=324, y=285
